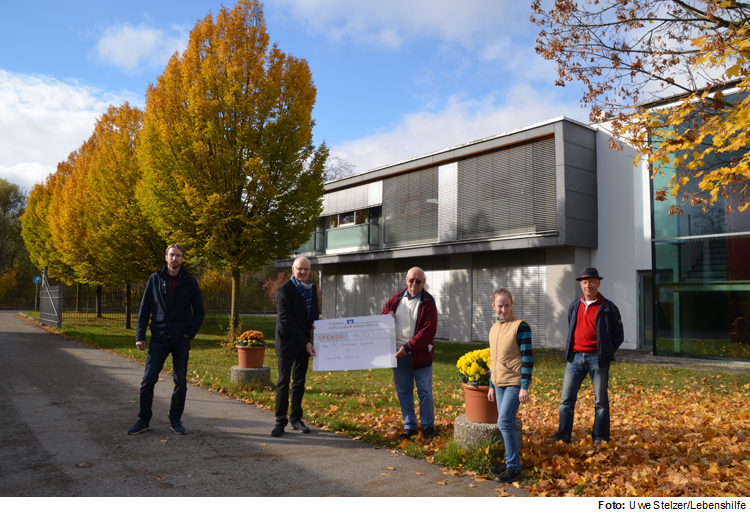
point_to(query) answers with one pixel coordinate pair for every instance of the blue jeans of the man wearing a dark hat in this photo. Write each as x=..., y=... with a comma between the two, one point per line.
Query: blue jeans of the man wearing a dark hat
x=584, y=364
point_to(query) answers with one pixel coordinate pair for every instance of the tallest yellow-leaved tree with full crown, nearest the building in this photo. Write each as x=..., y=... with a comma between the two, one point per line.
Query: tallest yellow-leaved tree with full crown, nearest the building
x=229, y=165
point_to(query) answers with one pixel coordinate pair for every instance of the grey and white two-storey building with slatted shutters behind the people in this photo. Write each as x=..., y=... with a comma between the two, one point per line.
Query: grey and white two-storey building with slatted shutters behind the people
x=526, y=210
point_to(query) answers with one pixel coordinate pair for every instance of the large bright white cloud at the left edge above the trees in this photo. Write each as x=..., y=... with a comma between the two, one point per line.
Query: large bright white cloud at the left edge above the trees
x=42, y=120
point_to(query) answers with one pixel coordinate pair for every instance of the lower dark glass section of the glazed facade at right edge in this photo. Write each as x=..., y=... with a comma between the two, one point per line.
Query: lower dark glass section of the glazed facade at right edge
x=703, y=297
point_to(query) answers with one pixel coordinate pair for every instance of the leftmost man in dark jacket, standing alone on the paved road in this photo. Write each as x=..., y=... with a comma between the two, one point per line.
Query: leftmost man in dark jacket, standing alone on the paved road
x=173, y=302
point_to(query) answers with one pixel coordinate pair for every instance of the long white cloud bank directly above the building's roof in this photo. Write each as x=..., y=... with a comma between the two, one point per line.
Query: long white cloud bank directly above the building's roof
x=460, y=121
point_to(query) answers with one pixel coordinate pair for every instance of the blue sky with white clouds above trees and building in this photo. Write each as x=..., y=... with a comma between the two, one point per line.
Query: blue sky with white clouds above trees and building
x=395, y=78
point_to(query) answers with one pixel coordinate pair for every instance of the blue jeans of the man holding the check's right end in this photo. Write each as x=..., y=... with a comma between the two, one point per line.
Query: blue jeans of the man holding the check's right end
x=404, y=378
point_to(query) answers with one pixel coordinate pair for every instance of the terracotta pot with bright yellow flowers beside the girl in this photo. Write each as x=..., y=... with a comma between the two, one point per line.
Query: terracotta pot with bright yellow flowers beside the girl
x=474, y=374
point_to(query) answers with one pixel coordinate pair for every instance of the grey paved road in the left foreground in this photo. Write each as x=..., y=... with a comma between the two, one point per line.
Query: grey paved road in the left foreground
x=65, y=409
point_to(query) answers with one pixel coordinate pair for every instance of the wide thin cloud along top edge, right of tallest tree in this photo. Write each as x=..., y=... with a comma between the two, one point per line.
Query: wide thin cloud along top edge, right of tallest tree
x=389, y=23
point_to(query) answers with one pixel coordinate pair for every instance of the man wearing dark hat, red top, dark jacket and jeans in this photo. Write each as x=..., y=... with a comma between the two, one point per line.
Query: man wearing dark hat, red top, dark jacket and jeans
x=594, y=334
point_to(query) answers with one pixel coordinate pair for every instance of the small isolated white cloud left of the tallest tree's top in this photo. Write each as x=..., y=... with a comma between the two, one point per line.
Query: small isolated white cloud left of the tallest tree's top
x=132, y=48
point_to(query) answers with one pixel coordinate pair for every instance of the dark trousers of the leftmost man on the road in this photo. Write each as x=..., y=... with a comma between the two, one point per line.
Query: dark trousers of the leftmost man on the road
x=157, y=354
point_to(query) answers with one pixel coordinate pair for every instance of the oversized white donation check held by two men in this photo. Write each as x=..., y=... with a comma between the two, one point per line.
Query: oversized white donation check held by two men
x=355, y=343
